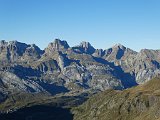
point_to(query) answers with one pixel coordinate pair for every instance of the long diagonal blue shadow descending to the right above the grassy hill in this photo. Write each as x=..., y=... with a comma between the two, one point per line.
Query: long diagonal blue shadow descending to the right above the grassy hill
x=127, y=79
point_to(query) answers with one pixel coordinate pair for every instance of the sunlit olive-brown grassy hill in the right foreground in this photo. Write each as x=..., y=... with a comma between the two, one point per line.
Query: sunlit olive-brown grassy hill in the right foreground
x=137, y=103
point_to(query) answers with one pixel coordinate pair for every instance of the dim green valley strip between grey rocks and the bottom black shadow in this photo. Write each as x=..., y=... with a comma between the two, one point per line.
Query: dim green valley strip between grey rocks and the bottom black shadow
x=21, y=100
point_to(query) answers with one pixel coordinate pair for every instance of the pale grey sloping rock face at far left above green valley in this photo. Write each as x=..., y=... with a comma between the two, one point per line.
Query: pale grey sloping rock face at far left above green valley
x=10, y=82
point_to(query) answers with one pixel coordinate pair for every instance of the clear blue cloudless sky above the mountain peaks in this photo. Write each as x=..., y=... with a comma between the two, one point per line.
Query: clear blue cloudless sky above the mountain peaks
x=103, y=23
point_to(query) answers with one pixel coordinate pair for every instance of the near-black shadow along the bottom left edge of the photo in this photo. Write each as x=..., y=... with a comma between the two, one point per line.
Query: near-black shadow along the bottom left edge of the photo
x=39, y=112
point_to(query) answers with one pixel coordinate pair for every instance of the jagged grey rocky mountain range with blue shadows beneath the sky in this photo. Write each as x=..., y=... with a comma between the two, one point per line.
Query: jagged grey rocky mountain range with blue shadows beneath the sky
x=61, y=68
